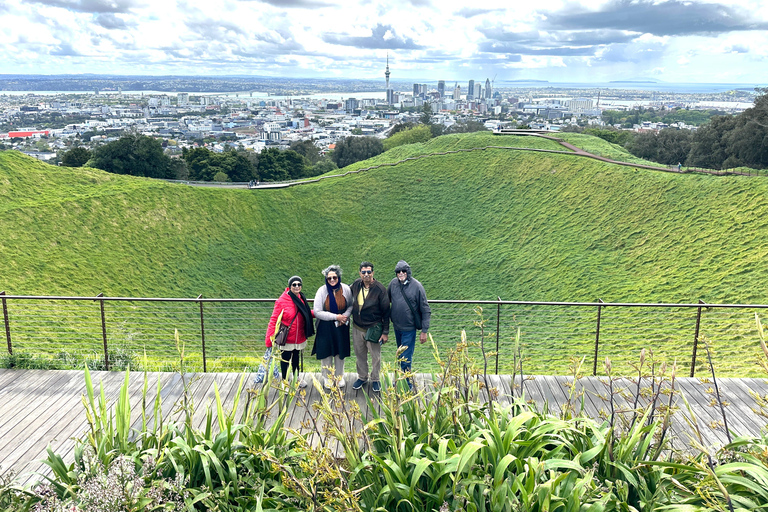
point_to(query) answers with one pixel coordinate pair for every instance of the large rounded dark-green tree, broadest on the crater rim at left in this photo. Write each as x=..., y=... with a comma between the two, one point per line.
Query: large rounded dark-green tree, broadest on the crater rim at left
x=136, y=155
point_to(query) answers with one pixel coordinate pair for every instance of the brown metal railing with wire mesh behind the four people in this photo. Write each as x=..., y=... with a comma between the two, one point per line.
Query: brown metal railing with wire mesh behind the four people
x=228, y=334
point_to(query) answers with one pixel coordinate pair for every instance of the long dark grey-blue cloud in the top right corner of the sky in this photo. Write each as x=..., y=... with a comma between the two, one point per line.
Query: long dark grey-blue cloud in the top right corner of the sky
x=673, y=17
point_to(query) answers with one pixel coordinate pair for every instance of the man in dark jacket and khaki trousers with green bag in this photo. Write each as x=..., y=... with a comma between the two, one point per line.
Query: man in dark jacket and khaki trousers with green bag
x=370, y=308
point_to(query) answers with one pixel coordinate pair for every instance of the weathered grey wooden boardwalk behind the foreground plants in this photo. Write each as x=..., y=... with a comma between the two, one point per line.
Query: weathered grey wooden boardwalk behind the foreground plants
x=41, y=408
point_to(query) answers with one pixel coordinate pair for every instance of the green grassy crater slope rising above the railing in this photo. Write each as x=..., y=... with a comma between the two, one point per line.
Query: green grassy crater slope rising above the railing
x=473, y=225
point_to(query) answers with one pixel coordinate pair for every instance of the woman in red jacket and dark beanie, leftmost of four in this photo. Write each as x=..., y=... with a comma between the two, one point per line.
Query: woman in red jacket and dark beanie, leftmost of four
x=298, y=315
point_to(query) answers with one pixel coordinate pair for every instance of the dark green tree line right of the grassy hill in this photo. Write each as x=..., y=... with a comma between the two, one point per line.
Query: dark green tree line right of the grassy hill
x=724, y=142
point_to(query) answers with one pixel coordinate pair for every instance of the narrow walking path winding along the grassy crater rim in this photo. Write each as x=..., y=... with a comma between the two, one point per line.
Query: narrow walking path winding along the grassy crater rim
x=572, y=151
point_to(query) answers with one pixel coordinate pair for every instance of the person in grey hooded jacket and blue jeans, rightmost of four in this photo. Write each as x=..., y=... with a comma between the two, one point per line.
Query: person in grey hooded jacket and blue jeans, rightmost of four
x=409, y=311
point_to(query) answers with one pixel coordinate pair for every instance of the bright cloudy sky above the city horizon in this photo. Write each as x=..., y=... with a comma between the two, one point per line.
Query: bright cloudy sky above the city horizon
x=426, y=40
